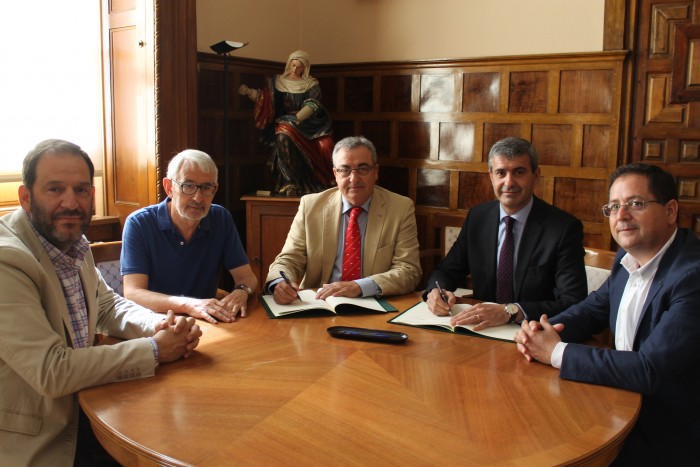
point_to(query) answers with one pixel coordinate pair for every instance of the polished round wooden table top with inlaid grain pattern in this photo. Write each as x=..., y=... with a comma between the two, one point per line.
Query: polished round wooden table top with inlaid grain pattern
x=283, y=392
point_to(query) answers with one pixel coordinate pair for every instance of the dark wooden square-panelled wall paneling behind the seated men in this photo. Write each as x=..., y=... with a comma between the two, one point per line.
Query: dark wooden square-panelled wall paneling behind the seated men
x=433, y=147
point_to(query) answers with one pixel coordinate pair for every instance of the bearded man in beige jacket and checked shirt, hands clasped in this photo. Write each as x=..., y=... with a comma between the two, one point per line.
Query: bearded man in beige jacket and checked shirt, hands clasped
x=53, y=303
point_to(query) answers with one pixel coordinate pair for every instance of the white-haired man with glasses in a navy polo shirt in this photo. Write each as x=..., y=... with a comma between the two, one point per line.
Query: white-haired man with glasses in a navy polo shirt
x=173, y=252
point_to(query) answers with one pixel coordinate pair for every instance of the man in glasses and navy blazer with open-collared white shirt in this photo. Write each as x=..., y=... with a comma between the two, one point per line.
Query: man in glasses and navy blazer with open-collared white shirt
x=651, y=303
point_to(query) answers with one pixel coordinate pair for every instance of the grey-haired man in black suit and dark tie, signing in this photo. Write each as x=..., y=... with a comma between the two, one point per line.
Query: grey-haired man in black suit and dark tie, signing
x=547, y=273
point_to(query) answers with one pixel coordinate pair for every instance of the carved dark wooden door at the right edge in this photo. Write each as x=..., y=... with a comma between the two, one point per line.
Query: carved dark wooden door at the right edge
x=666, y=116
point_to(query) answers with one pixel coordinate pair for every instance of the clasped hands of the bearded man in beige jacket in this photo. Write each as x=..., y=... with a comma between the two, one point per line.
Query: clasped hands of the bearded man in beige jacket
x=176, y=337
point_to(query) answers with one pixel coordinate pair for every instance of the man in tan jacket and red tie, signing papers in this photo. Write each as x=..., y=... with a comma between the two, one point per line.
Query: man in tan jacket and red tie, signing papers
x=354, y=240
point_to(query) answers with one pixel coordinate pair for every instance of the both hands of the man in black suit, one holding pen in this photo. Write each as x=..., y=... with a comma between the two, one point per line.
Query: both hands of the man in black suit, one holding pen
x=481, y=315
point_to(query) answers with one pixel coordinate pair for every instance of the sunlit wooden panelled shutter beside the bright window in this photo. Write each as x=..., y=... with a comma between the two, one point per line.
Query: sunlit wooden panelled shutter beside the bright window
x=129, y=105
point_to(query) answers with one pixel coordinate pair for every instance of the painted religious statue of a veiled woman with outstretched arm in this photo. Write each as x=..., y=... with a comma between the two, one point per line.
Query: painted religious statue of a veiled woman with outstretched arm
x=288, y=110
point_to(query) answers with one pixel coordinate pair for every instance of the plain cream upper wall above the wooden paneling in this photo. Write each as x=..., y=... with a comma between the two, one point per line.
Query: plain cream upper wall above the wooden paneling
x=341, y=31
